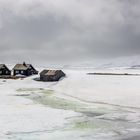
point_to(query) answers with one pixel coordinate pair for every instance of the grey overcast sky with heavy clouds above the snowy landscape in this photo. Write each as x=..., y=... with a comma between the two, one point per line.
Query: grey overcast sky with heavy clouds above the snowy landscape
x=68, y=30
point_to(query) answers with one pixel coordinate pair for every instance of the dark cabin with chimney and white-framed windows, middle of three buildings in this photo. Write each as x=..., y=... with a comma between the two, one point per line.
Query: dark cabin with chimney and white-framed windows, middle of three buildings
x=24, y=69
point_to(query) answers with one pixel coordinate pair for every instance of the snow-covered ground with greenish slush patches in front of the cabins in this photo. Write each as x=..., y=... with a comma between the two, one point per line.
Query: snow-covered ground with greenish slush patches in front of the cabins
x=79, y=107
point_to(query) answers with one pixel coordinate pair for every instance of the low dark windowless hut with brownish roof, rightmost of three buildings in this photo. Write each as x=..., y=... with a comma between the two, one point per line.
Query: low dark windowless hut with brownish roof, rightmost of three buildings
x=51, y=75
